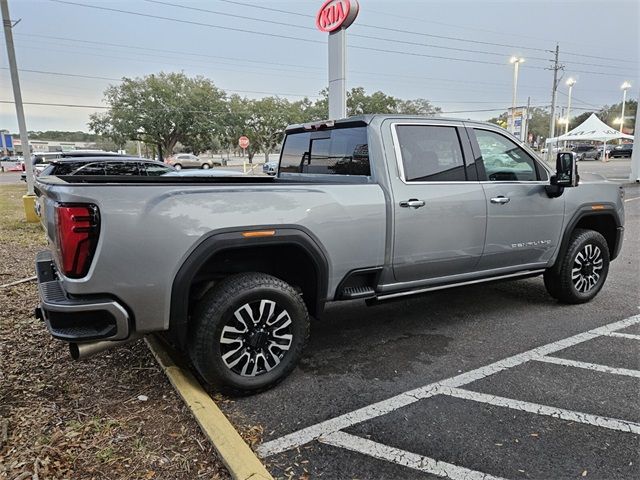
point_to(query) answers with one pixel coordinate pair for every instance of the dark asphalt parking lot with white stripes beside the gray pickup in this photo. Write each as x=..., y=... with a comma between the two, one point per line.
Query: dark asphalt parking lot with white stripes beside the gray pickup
x=492, y=381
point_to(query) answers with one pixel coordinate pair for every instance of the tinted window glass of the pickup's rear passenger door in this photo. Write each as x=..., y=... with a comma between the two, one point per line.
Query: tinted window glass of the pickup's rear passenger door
x=430, y=153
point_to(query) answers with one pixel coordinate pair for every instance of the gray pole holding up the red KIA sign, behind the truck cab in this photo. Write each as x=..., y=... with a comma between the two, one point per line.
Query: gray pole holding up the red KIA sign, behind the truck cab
x=337, y=74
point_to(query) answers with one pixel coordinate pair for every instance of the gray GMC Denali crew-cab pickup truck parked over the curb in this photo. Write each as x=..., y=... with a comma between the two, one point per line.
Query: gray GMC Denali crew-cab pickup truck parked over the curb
x=373, y=207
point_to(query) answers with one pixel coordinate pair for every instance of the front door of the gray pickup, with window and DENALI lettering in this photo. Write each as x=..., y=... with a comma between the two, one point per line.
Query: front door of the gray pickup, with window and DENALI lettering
x=523, y=224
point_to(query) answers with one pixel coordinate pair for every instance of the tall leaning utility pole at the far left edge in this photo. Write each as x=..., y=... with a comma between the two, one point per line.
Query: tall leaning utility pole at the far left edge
x=17, y=97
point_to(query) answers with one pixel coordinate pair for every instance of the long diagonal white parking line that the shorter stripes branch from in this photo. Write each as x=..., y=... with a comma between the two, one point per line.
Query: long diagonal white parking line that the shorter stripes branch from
x=308, y=434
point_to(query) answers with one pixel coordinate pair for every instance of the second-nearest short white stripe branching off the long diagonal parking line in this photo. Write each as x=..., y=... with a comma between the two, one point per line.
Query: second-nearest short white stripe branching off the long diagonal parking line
x=556, y=412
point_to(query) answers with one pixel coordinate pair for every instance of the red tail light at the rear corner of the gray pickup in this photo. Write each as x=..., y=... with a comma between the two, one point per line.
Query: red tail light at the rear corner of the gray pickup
x=78, y=227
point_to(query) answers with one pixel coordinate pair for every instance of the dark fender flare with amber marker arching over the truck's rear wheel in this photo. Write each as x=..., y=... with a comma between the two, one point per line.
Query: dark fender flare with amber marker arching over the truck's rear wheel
x=231, y=238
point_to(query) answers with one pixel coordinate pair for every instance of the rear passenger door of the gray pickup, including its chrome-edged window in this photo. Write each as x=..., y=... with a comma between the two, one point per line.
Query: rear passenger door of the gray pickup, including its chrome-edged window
x=438, y=208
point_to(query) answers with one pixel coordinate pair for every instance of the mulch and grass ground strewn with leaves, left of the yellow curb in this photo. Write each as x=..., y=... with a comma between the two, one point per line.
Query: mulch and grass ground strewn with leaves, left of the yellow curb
x=112, y=416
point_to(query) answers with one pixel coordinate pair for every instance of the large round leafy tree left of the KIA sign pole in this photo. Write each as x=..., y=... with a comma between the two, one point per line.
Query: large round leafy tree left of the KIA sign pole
x=162, y=110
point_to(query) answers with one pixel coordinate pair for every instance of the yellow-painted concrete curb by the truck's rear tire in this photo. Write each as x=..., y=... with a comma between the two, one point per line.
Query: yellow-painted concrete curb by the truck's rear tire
x=240, y=460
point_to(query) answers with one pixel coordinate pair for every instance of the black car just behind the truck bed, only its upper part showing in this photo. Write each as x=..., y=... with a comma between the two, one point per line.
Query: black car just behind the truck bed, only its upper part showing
x=130, y=166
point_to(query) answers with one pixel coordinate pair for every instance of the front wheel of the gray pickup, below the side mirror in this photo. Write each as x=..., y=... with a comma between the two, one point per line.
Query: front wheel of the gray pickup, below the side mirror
x=583, y=269
